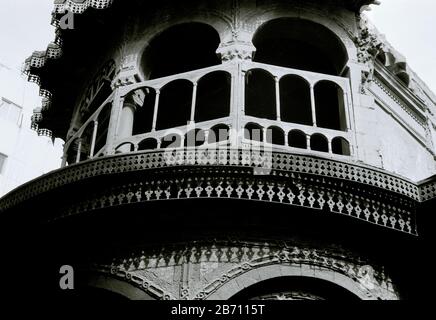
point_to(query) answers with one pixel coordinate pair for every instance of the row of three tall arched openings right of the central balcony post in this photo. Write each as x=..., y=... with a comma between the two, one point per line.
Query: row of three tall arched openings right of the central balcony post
x=292, y=99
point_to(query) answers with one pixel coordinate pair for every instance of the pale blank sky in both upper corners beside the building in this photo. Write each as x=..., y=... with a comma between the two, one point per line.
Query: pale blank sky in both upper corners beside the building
x=409, y=25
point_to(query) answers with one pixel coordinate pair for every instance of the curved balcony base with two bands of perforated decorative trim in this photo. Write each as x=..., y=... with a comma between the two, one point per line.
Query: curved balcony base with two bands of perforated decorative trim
x=291, y=181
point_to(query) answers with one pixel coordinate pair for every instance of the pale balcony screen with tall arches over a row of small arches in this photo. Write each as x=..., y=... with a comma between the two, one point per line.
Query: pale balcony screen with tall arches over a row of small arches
x=227, y=116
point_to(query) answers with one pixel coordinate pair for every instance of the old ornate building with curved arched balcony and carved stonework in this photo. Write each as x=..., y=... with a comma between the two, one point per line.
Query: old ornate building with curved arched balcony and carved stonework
x=231, y=149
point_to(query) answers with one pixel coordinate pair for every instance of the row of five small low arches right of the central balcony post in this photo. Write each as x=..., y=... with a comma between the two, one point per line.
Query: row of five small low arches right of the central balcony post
x=297, y=139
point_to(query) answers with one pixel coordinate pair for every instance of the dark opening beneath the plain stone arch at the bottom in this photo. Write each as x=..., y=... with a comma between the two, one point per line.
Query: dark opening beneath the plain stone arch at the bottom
x=295, y=288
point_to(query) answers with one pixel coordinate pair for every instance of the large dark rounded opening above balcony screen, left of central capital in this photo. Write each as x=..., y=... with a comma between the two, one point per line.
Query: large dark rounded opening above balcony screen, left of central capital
x=181, y=48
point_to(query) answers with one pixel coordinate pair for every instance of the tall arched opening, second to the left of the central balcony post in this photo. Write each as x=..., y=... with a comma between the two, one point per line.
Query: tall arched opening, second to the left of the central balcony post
x=175, y=104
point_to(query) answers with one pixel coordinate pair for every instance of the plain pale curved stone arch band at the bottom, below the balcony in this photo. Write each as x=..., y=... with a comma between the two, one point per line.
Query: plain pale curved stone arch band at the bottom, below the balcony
x=276, y=271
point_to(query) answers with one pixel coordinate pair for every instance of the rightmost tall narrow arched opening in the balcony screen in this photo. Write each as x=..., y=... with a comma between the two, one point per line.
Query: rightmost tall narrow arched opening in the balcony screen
x=329, y=106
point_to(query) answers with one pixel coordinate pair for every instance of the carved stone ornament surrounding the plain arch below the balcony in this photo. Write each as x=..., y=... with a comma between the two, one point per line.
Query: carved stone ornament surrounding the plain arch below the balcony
x=243, y=257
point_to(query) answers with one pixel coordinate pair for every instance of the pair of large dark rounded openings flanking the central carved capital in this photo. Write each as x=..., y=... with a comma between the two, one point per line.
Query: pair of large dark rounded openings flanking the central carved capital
x=287, y=42
